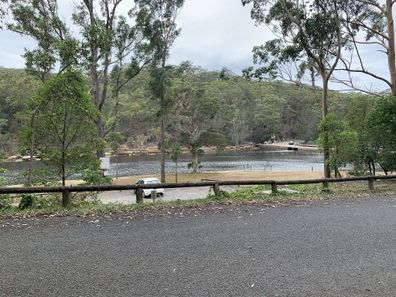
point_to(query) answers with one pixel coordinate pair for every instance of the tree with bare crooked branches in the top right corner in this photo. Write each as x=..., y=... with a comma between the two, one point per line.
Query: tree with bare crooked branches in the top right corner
x=370, y=27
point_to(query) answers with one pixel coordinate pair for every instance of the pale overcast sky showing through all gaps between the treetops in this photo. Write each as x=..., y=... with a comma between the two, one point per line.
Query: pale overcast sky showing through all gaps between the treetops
x=215, y=34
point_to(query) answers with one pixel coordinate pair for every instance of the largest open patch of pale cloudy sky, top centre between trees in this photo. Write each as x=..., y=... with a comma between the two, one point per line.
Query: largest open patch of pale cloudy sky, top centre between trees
x=217, y=34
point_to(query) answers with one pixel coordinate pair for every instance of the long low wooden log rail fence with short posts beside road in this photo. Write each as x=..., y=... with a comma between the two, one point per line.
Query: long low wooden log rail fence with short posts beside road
x=215, y=184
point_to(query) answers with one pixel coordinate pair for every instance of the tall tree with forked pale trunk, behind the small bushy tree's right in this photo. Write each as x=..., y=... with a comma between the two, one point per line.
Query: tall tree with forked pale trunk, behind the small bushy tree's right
x=108, y=40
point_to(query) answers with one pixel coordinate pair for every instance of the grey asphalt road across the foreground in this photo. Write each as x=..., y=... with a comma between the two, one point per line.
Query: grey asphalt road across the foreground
x=341, y=248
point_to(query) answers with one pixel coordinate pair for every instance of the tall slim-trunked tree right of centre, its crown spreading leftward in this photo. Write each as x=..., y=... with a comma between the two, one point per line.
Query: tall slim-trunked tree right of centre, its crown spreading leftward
x=308, y=34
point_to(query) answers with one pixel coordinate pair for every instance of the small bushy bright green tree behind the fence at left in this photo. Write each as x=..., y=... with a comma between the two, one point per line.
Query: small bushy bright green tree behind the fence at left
x=64, y=129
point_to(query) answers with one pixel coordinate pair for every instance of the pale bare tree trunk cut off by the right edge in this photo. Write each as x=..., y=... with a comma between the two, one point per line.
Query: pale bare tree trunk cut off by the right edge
x=391, y=45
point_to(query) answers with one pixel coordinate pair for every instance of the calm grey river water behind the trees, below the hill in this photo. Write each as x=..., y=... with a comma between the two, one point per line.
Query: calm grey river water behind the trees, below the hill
x=246, y=161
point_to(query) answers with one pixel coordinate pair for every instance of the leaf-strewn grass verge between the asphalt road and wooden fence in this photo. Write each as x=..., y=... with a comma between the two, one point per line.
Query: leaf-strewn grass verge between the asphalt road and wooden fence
x=259, y=195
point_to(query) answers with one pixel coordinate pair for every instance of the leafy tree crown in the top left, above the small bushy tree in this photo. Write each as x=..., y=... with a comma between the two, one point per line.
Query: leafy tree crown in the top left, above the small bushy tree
x=40, y=20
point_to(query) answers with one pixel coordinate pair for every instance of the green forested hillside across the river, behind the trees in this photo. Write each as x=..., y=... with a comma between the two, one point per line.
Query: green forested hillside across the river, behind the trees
x=246, y=111
